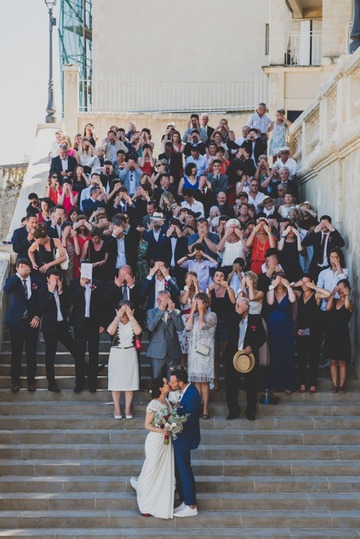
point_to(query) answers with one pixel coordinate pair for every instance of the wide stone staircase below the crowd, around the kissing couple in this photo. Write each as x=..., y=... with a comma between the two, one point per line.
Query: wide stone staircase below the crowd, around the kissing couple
x=65, y=465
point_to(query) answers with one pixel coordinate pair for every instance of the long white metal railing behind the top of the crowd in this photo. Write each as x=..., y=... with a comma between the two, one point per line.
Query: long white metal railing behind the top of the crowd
x=118, y=96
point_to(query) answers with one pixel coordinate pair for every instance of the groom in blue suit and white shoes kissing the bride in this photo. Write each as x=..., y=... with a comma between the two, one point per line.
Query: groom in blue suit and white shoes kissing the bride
x=189, y=438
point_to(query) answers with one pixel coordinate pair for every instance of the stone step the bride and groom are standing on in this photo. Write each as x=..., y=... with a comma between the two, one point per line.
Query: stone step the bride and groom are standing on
x=226, y=519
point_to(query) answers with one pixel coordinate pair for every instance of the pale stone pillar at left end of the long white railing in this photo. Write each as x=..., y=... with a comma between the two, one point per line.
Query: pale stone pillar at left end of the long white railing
x=71, y=98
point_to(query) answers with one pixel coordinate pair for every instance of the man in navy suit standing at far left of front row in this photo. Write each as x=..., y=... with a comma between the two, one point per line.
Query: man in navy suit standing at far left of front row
x=23, y=319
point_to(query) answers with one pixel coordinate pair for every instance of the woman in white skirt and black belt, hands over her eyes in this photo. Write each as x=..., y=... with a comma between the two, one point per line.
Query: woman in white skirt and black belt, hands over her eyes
x=123, y=368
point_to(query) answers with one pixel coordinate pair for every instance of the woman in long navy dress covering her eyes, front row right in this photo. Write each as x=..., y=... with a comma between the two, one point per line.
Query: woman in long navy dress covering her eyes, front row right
x=280, y=298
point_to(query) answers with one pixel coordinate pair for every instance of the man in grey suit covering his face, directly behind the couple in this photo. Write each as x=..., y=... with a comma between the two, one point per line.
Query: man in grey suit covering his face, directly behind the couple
x=164, y=321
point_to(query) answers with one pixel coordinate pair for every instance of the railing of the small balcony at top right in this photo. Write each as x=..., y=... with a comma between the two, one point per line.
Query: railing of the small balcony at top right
x=303, y=49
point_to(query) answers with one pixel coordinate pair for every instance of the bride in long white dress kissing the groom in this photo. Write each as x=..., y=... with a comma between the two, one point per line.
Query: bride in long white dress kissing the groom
x=155, y=485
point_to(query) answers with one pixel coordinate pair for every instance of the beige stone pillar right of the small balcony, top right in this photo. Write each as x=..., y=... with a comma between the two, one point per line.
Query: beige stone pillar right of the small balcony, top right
x=336, y=16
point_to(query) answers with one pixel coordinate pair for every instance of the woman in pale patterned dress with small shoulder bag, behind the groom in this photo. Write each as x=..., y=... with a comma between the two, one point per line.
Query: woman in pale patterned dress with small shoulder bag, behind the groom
x=201, y=355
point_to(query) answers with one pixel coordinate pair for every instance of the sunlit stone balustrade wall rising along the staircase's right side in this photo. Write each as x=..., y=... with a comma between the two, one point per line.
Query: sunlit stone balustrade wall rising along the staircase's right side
x=326, y=143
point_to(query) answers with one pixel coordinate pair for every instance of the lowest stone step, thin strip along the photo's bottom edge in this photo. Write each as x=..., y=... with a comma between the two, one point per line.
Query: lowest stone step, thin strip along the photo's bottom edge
x=229, y=533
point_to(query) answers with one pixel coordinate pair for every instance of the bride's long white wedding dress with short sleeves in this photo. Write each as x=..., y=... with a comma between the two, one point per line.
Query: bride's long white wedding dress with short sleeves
x=155, y=485
